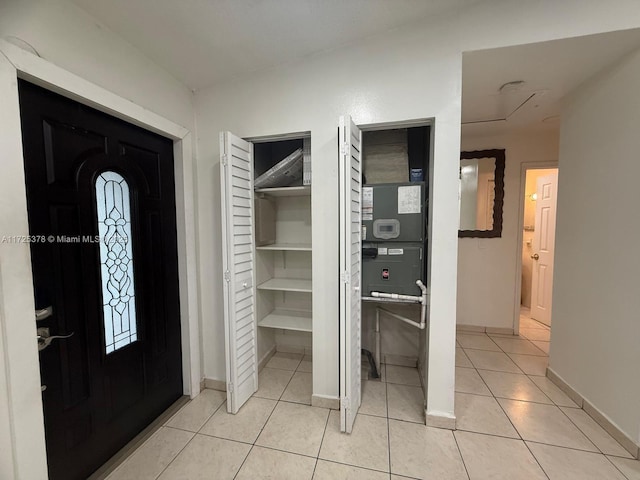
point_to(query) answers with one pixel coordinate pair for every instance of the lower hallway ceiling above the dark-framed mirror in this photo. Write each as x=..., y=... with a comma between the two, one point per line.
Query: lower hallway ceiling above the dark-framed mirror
x=551, y=71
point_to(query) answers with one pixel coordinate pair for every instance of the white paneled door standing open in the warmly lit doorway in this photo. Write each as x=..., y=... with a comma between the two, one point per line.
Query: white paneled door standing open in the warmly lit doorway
x=543, y=248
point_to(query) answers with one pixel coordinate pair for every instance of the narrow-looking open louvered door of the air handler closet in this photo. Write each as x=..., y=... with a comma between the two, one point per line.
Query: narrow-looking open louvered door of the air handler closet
x=350, y=245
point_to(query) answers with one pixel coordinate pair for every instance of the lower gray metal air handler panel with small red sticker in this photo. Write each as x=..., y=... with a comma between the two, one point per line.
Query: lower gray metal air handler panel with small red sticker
x=403, y=263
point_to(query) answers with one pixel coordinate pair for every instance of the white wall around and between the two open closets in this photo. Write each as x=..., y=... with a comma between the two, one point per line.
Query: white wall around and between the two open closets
x=370, y=82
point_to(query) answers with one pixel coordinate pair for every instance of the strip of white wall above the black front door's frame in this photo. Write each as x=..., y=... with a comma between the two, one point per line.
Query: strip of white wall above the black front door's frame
x=65, y=35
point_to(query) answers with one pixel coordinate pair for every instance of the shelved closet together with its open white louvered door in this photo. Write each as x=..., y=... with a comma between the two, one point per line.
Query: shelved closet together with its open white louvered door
x=267, y=255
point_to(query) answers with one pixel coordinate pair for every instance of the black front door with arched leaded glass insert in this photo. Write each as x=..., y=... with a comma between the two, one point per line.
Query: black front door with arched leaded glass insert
x=102, y=223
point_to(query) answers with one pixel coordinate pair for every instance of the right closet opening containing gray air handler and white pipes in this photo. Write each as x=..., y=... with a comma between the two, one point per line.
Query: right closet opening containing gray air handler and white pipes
x=395, y=193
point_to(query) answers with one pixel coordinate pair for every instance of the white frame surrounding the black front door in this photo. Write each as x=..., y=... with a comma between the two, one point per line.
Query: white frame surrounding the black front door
x=22, y=441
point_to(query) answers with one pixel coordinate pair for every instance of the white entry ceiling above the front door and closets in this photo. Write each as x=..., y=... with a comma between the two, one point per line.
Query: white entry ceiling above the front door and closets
x=202, y=42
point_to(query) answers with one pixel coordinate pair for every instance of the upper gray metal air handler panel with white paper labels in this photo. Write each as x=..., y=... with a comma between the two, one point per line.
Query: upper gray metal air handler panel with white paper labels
x=386, y=206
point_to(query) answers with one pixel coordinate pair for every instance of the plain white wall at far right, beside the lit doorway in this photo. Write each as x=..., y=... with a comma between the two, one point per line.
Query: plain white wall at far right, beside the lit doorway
x=596, y=332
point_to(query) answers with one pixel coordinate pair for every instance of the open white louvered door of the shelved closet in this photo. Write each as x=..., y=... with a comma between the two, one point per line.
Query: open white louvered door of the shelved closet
x=238, y=264
